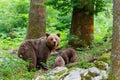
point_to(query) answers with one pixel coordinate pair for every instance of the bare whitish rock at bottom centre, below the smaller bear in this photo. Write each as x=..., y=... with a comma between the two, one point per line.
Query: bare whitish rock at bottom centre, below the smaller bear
x=73, y=75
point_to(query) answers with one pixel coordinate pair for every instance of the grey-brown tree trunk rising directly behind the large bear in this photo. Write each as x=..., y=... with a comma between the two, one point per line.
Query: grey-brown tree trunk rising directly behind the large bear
x=37, y=20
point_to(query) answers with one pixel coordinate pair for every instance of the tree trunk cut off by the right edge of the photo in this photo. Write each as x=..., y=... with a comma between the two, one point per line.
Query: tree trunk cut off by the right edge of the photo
x=115, y=56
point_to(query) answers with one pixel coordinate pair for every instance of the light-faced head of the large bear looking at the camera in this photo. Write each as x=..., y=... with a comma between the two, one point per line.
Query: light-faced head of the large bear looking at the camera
x=53, y=40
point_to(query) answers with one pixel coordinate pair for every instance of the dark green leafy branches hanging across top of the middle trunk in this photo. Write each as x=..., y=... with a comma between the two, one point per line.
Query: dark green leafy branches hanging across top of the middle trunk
x=65, y=6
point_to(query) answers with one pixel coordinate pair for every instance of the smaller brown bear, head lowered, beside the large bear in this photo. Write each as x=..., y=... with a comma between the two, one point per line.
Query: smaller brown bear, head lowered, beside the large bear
x=68, y=55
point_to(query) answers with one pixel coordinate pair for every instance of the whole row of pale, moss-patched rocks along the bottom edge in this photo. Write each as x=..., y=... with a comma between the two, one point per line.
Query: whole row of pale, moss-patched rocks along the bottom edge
x=62, y=73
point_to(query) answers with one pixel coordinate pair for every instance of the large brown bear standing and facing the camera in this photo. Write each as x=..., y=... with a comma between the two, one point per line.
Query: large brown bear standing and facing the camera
x=37, y=51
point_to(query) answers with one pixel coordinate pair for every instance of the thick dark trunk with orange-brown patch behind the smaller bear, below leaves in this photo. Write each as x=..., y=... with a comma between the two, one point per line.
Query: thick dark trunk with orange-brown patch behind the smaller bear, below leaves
x=81, y=27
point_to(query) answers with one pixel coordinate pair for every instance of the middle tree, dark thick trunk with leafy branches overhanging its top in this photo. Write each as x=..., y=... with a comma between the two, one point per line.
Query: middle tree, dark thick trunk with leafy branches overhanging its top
x=81, y=31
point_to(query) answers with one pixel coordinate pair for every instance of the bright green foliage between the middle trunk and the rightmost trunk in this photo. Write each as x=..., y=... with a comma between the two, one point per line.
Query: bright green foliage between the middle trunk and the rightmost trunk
x=103, y=25
